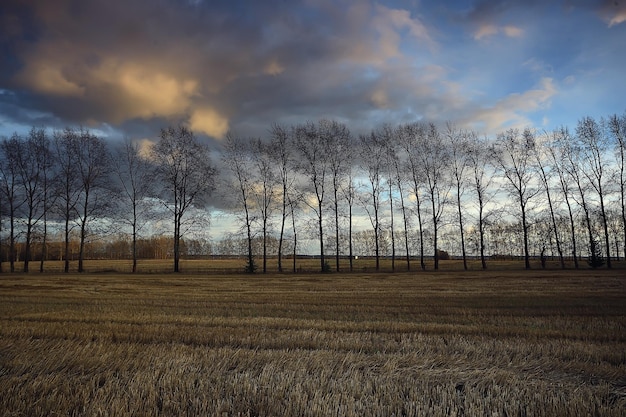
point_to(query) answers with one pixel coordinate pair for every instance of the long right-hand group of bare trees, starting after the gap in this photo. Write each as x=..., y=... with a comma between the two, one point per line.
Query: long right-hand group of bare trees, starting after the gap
x=413, y=181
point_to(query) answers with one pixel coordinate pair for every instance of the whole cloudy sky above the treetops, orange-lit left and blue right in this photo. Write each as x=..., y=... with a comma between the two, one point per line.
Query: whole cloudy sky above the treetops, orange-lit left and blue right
x=127, y=68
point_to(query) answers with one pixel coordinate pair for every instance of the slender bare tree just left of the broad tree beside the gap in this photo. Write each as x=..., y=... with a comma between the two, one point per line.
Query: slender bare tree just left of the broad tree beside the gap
x=134, y=172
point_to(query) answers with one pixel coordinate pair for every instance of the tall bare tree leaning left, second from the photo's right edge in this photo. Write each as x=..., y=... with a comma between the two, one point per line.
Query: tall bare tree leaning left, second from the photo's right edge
x=593, y=144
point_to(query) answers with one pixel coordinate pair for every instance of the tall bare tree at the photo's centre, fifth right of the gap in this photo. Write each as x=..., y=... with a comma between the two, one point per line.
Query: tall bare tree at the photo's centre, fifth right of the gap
x=312, y=150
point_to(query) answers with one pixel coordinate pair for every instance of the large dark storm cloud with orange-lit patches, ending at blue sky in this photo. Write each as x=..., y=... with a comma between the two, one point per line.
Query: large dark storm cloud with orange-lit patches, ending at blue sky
x=216, y=63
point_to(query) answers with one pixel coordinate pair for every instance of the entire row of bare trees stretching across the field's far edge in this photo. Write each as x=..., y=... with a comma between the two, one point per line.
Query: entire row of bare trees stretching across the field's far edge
x=409, y=188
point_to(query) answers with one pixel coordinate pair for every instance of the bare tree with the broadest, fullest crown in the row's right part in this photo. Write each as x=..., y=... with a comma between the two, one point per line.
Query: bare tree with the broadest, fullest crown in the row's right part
x=512, y=153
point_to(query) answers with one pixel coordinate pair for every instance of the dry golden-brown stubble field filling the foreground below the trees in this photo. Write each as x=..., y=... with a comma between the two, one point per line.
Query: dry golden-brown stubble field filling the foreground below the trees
x=498, y=343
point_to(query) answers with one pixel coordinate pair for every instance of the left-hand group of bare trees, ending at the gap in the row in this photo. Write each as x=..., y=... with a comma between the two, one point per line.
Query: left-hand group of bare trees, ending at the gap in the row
x=75, y=181
